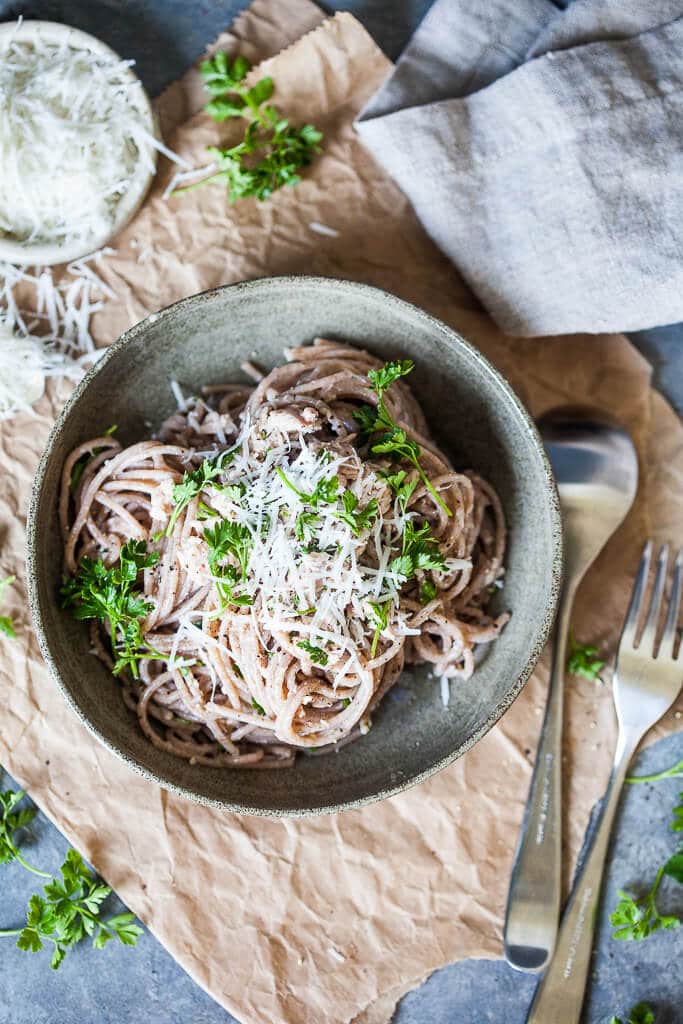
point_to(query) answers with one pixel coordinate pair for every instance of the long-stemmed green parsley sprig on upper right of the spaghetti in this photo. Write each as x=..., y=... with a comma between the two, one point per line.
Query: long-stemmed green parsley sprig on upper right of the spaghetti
x=393, y=441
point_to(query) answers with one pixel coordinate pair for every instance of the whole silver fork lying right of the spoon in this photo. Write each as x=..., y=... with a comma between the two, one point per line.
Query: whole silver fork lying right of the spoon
x=648, y=680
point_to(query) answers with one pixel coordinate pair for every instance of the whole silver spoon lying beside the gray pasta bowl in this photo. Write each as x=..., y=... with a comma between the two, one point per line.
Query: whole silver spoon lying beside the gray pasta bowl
x=596, y=468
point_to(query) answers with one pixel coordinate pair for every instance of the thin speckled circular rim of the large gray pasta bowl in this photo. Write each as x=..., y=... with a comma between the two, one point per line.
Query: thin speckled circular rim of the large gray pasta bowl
x=258, y=286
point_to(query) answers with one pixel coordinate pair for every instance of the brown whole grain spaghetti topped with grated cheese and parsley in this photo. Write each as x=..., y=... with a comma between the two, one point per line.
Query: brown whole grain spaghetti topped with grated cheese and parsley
x=259, y=575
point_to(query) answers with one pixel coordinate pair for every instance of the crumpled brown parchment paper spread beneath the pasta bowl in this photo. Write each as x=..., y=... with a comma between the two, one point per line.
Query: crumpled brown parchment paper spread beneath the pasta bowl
x=329, y=920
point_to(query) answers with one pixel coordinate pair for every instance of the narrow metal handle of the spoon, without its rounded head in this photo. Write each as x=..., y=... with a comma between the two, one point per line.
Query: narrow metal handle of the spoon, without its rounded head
x=534, y=899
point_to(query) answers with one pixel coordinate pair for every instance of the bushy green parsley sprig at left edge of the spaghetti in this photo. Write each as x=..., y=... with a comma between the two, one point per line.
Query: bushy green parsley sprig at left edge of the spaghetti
x=110, y=595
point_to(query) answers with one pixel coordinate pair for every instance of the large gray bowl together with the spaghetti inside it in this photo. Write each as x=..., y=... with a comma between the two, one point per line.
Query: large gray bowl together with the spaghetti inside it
x=273, y=568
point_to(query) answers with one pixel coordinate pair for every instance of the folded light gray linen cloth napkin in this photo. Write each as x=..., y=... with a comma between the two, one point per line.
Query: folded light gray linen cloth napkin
x=543, y=151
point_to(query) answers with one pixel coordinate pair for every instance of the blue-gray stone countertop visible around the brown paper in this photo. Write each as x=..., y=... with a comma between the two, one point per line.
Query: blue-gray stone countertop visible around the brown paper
x=123, y=986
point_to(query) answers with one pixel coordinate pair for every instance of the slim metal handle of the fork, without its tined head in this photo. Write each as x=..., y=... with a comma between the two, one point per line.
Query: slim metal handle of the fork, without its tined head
x=560, y=997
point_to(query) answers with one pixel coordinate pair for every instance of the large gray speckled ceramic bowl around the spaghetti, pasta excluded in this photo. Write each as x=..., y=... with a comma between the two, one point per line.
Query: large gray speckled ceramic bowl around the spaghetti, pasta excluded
x=478, y=419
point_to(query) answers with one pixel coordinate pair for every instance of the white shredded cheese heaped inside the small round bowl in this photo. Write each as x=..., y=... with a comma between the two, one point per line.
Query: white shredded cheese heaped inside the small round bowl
x=72, y=137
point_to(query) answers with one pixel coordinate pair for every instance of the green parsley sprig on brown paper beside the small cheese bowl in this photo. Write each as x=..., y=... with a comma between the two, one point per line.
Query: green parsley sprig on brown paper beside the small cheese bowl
x=273, y=152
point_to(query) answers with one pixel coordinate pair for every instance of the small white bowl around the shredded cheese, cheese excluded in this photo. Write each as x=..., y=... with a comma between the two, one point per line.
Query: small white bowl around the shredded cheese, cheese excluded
x=50, y=253
